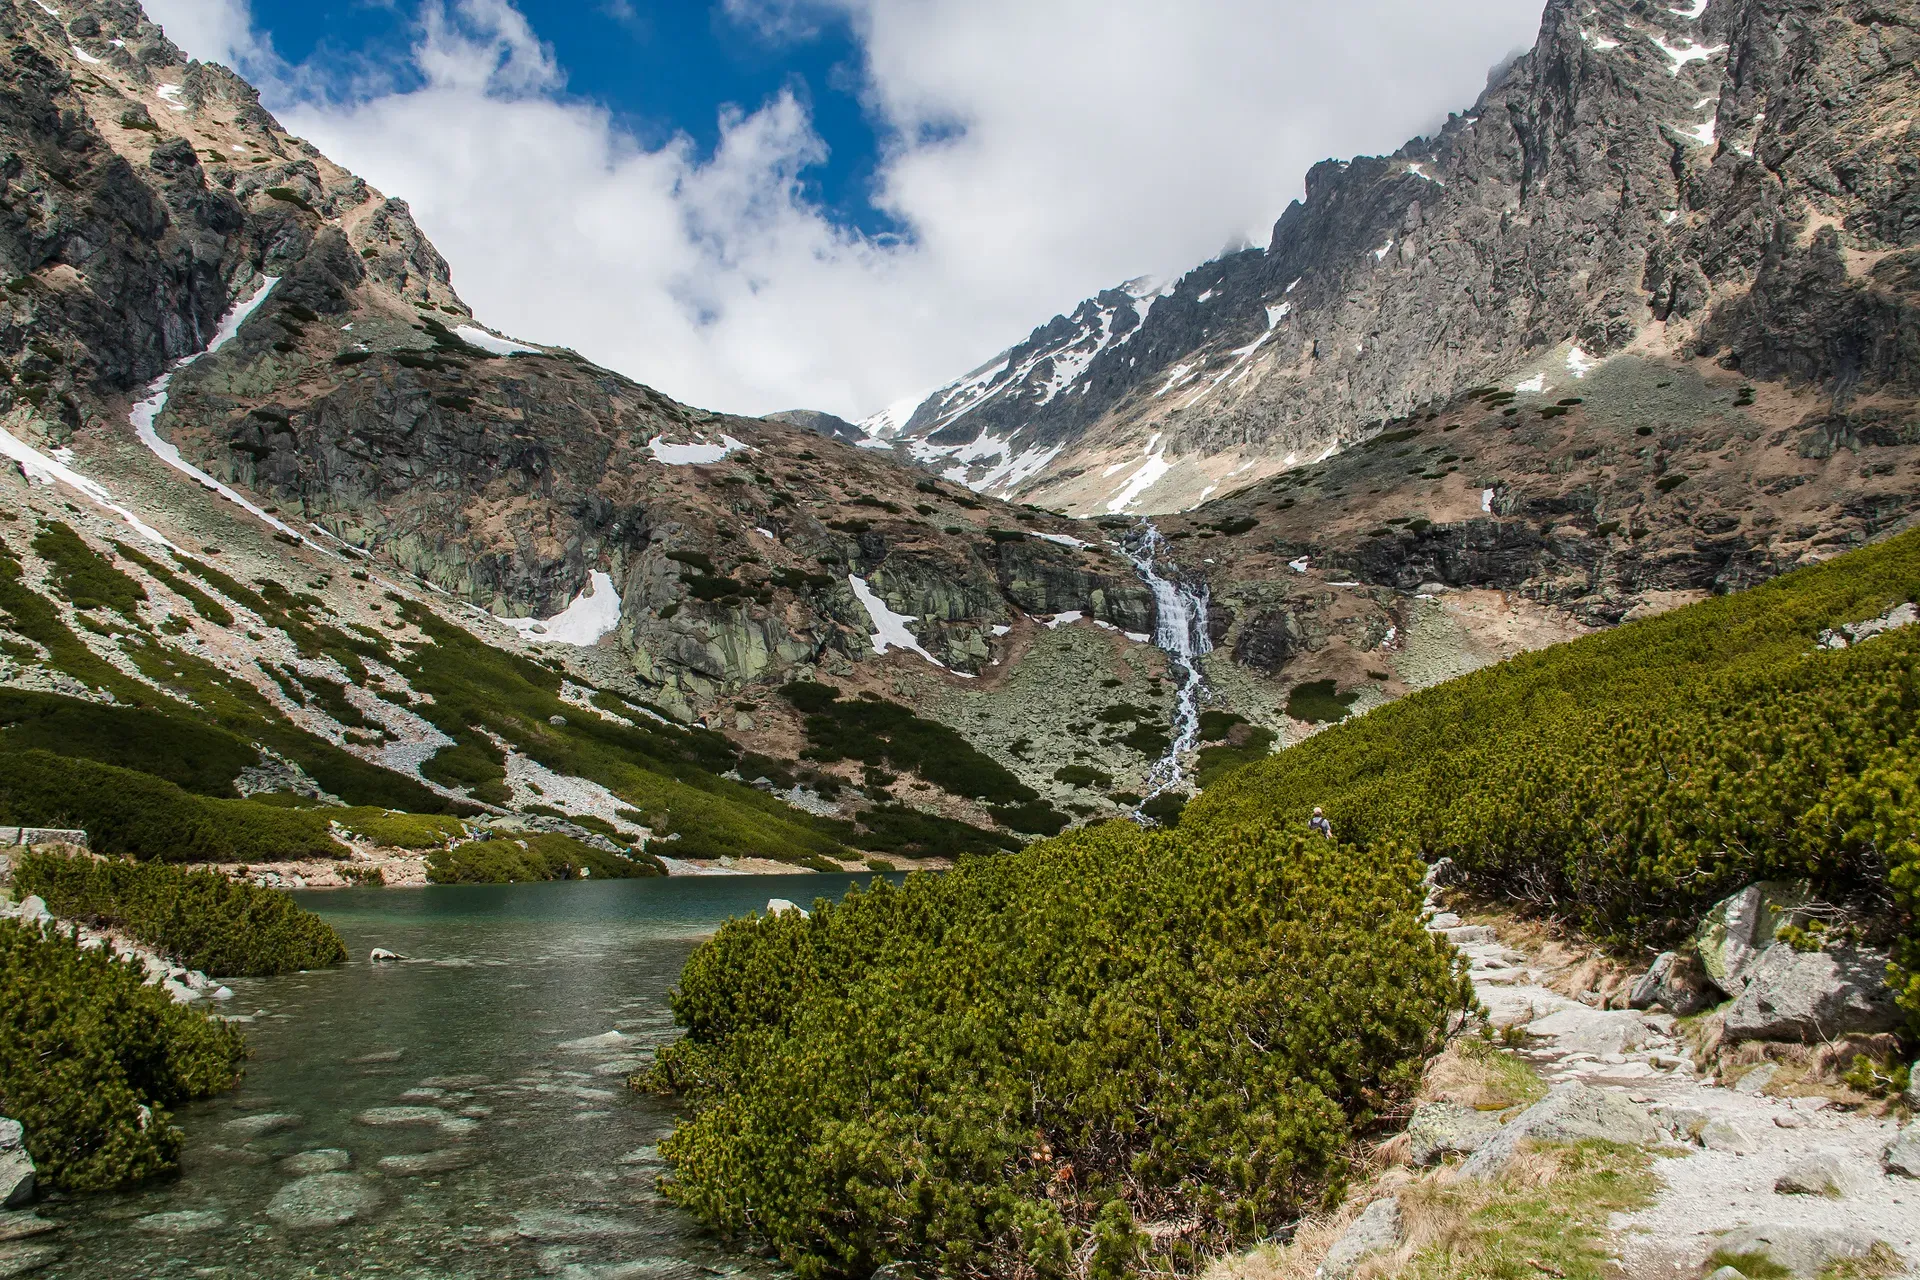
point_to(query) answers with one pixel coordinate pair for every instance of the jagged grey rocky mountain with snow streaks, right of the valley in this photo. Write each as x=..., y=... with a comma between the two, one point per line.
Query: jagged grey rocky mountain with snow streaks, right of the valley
x=1721, y=187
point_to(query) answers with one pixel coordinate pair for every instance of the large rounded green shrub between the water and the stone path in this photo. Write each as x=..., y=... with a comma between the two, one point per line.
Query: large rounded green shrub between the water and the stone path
x=1001, y=1070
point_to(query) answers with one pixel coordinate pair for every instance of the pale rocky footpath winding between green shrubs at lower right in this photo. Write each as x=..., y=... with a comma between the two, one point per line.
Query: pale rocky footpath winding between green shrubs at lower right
x=1742, y=1170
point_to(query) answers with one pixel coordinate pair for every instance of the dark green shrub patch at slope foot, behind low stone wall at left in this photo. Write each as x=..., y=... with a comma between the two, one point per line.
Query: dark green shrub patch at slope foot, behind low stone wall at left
x=145, y=817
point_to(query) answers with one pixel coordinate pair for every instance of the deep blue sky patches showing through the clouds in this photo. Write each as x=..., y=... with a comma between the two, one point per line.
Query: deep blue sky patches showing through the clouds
x=661, y=70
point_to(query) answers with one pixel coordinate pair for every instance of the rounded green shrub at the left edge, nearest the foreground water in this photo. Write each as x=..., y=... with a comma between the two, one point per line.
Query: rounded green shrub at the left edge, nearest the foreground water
x=91, y=1062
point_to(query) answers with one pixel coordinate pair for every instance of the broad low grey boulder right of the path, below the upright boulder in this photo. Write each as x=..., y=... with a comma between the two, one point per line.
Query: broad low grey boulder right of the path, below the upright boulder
x=1813, y=997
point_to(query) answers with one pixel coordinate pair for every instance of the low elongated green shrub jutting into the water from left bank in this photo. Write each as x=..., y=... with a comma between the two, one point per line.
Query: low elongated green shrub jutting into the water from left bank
x=206, y=920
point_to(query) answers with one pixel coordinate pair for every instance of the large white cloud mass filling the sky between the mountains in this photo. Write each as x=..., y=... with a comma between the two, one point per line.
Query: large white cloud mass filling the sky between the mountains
x=1038, y=153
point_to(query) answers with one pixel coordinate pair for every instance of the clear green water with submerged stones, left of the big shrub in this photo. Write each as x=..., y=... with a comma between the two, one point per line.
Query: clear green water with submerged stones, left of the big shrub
x=462, y=1116
